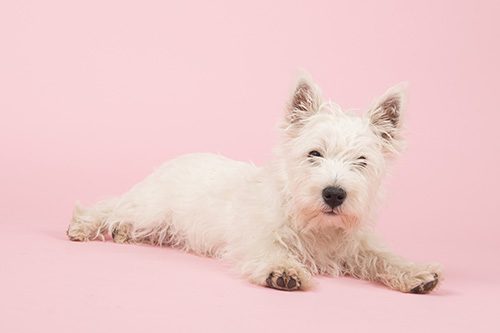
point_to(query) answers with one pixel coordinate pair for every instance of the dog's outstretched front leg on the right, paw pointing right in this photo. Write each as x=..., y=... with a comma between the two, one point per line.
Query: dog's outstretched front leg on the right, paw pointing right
x=373, y=262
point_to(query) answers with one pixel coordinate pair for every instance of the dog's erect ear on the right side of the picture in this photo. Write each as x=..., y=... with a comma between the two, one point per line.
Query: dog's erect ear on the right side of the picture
x=386, y=117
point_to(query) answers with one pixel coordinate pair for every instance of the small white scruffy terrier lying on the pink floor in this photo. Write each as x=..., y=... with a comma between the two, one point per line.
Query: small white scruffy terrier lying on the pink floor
x=307, y=212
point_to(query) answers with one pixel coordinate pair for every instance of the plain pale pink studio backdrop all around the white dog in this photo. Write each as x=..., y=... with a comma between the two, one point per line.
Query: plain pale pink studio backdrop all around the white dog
x=95, y=94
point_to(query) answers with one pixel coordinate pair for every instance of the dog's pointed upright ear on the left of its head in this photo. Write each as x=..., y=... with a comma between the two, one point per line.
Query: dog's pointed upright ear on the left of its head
x=305, y=101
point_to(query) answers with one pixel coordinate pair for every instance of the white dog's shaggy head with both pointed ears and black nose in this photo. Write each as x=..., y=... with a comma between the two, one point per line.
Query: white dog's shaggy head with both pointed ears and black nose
x=334, y=161
